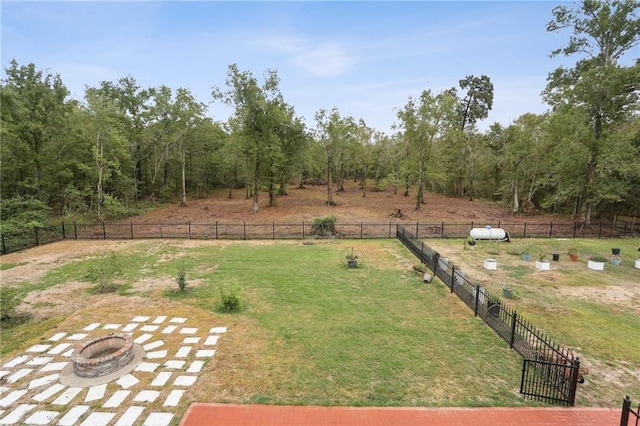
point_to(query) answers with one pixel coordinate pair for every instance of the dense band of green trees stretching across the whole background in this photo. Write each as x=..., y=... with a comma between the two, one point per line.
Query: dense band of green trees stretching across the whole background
x=123, y=146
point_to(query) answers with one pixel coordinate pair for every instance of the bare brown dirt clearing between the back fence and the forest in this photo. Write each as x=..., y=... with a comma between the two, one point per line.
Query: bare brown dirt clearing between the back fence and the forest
x=308, y=203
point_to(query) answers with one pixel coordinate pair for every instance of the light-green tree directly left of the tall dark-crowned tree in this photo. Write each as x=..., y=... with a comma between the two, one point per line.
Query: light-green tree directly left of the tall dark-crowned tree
x=422, y=122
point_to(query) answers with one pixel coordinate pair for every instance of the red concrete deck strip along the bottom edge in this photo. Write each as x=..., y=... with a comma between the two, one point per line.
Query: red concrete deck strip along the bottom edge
x=270, y=415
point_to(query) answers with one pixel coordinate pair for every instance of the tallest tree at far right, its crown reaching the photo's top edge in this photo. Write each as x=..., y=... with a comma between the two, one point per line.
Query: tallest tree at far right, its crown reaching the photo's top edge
x=605, y=91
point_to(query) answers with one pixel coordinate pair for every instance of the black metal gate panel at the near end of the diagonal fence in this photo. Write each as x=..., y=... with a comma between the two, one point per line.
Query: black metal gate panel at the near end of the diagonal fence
x=550, y=382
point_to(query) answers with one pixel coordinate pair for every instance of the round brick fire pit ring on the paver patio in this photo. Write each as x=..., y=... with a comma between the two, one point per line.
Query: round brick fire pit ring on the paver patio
x=102, y=355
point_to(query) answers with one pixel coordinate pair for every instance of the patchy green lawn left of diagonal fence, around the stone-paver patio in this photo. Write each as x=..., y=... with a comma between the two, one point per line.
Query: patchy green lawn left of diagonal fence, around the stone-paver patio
x=311, y=332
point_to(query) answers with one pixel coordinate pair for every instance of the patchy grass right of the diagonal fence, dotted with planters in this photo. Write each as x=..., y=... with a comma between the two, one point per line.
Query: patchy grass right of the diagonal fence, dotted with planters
x=596, y=313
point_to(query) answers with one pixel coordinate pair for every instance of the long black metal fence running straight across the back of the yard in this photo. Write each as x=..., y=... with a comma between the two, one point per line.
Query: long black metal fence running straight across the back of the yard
x=250, y=231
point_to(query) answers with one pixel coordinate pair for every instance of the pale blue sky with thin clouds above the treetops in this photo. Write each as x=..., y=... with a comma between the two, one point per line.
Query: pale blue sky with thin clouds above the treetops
x=364, y=58
